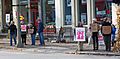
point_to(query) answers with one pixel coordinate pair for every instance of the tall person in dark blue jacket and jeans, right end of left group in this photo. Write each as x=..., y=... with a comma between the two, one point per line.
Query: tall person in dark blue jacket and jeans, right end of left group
x=40, y=32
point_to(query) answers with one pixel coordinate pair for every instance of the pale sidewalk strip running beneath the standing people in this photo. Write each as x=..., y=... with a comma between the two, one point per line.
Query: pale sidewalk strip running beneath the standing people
x=54, y=48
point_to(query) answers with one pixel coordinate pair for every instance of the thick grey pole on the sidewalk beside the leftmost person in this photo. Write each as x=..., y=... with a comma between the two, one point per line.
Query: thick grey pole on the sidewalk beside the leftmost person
x=20, y=44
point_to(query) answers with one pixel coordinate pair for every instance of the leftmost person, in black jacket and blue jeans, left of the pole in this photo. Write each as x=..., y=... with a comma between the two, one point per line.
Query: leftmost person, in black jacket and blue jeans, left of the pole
x=13, y=33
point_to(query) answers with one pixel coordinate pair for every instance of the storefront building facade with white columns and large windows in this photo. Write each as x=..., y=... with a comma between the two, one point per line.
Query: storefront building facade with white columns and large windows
x=66, y=13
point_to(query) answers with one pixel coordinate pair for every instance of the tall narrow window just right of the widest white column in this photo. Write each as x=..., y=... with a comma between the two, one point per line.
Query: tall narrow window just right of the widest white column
x=68, y=16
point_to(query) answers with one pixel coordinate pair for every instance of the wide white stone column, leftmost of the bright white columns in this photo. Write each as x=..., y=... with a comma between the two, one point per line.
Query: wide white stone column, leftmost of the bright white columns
x=59, y=13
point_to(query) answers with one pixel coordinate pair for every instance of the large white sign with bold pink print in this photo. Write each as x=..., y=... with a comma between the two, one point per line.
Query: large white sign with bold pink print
x=79, y=34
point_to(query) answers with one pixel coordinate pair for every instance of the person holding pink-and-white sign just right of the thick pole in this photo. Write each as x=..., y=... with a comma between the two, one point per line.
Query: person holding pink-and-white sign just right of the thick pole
x=23, y=32
